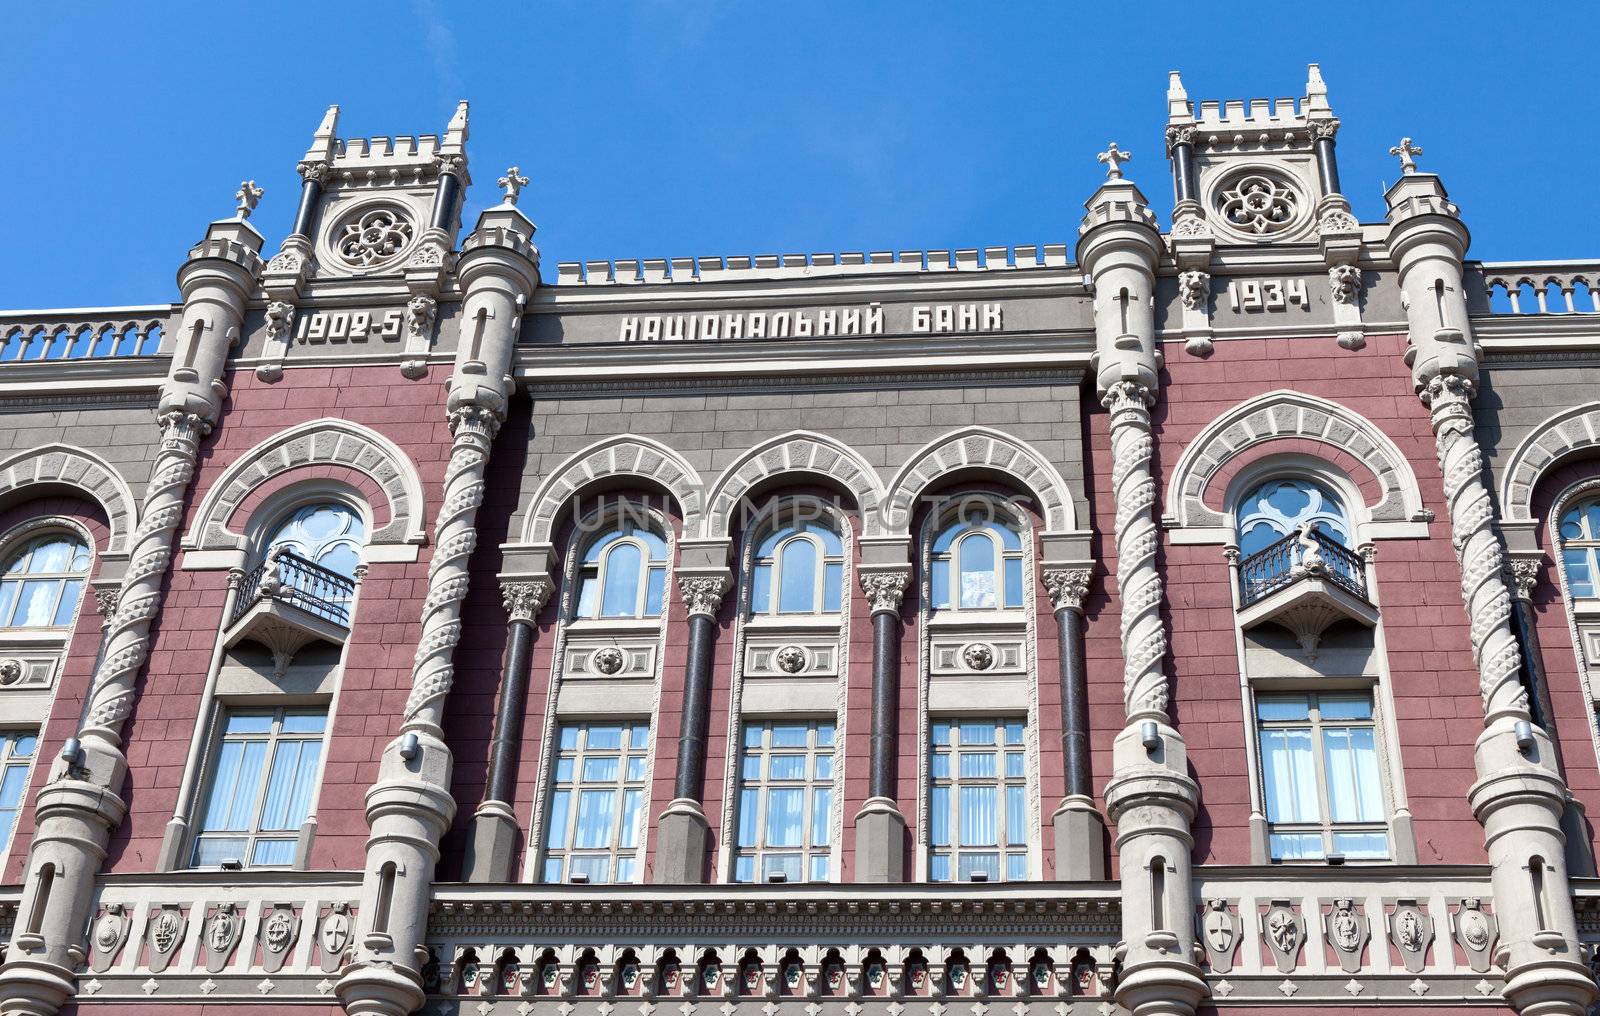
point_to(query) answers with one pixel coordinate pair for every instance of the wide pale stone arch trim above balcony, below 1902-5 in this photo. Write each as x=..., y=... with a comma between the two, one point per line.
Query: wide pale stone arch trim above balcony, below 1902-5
x=334, y=442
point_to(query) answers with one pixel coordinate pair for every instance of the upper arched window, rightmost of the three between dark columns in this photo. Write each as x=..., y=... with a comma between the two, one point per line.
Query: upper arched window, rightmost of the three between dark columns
x=977, y=562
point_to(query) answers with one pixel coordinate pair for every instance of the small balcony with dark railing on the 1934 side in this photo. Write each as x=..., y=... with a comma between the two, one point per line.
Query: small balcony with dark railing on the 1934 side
x=1308, y=583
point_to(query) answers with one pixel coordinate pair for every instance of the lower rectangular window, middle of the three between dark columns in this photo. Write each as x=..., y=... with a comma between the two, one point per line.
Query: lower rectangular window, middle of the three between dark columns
x=786, y=794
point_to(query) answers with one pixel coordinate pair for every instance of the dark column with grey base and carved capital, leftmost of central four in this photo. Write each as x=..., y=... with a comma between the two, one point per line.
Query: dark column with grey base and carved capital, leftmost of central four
x=492, y=847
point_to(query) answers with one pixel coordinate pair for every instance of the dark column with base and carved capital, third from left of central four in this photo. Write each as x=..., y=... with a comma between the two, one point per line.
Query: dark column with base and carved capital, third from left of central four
x=881, y=828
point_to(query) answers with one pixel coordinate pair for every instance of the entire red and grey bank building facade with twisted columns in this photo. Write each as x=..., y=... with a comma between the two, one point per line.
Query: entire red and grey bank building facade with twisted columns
x=1198, y=615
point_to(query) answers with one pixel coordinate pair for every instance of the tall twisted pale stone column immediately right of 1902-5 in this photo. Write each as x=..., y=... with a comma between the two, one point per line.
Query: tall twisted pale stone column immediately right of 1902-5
x=410, y=807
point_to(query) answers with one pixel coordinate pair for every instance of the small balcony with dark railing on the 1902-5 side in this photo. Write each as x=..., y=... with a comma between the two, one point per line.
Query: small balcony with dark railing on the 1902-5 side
x=287, y=604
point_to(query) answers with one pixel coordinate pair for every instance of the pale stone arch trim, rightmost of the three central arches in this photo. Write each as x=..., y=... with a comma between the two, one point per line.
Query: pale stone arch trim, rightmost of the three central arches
x=983, y=449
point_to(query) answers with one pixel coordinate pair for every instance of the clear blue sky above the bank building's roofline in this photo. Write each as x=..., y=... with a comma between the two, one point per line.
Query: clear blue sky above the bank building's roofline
x=660, y=130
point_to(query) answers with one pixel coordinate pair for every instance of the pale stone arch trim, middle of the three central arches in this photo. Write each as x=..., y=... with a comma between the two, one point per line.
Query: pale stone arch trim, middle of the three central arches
x=791, y=454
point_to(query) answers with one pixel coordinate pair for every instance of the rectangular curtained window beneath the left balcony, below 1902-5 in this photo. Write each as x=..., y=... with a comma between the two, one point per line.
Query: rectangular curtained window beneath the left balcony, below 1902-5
x=262, y=788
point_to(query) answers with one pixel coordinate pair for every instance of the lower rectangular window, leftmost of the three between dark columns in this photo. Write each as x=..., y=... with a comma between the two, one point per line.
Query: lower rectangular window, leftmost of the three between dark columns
x=594, y=825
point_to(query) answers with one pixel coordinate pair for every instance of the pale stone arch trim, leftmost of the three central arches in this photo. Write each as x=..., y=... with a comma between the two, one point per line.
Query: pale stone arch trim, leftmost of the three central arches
x=626, y=455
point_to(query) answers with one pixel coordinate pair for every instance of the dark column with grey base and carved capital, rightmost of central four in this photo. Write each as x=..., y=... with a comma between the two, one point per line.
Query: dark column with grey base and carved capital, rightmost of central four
x=1081, y=834
